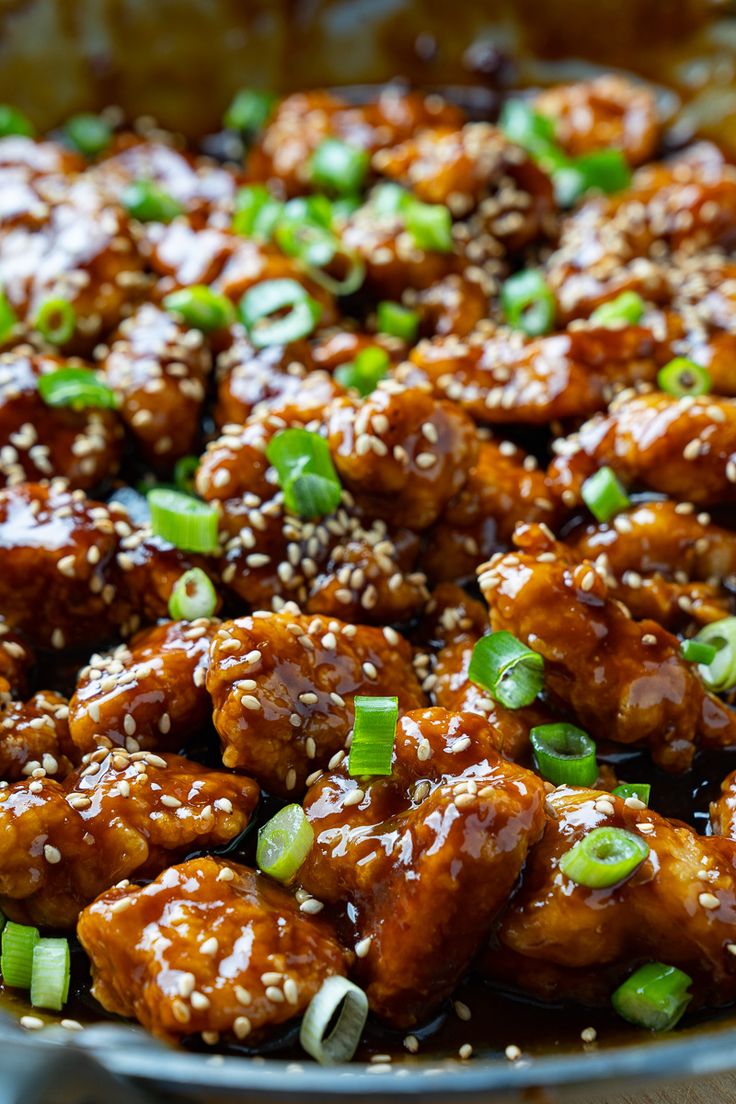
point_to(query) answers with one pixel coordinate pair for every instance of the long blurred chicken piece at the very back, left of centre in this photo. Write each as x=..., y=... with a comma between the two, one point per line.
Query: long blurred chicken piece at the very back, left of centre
x=302, y=122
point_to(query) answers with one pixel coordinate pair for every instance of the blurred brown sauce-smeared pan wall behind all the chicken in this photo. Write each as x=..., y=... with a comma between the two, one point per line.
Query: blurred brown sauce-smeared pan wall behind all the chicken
x=183, y=60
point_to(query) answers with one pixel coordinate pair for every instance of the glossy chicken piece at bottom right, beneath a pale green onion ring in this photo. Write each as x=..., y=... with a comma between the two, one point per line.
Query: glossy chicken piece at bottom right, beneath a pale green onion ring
x=681, y=899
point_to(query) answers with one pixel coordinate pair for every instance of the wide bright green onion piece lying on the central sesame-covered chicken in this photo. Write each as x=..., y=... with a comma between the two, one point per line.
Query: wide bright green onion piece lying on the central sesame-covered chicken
x=306, y=473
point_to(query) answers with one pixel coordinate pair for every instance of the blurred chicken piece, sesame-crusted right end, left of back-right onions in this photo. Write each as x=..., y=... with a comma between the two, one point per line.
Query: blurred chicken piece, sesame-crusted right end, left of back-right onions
x=475, y=168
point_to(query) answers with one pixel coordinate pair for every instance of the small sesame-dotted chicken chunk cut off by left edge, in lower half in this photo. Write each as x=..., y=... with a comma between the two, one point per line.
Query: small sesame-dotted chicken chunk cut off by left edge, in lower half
x=35, y=736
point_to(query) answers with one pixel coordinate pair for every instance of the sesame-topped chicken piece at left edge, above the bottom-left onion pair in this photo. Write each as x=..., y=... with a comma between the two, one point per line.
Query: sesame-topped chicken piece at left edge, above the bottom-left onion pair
x=121, y=816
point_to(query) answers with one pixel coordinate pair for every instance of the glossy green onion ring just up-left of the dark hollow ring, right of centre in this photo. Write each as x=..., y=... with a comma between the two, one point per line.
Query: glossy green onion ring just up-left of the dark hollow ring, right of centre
x=510, y=672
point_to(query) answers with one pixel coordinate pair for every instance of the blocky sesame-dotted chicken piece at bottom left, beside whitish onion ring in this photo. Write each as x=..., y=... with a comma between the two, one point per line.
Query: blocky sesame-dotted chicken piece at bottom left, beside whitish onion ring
x=206, y=949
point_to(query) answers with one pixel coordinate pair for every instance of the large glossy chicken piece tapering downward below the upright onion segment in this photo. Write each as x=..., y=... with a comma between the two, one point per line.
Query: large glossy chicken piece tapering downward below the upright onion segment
x=425, y=858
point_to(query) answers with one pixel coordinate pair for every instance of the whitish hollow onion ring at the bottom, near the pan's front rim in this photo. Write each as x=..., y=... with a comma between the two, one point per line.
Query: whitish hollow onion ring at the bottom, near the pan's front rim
x=340, y=999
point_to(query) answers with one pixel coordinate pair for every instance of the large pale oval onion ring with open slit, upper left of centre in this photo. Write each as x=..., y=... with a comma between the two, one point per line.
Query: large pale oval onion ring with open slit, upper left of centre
x=260, y=306
